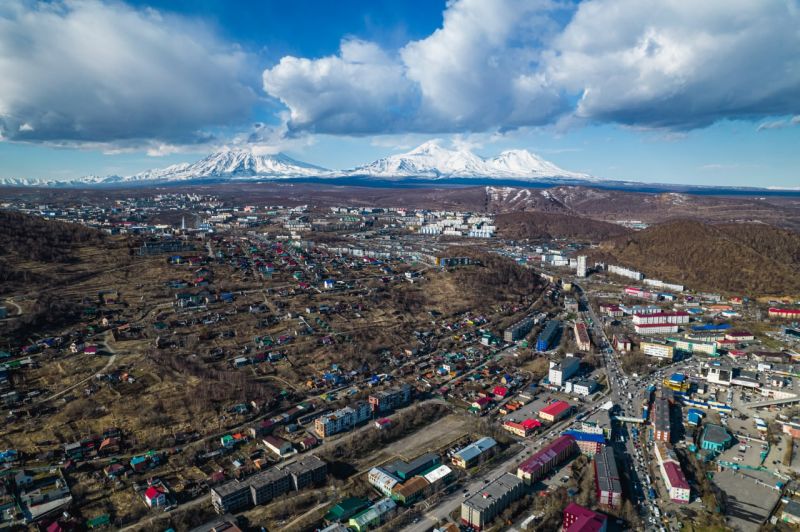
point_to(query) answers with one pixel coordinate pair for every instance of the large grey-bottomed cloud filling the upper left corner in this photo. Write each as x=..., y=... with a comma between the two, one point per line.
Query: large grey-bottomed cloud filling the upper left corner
x=81, y=72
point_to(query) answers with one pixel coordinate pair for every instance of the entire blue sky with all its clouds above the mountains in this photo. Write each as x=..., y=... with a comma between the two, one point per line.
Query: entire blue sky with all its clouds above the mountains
x=623, y=89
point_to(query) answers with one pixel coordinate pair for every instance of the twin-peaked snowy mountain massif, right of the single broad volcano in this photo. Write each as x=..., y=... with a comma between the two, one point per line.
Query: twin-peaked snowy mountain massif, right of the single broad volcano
x=432, y=161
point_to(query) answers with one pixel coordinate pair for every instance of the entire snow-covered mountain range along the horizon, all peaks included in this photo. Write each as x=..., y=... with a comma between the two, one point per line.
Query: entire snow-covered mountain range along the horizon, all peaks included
x=428, y=161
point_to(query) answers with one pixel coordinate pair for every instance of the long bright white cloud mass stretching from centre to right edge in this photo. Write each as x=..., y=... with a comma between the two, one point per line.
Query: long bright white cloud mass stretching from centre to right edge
x=505, y=64
